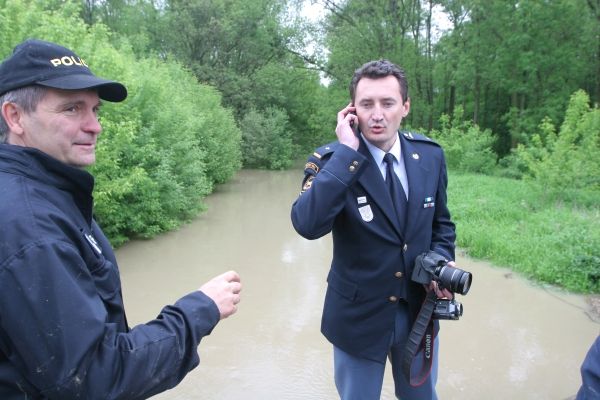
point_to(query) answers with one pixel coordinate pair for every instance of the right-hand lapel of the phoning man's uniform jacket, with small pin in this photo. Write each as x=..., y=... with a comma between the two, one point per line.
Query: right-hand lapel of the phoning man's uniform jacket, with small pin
x=416, y=172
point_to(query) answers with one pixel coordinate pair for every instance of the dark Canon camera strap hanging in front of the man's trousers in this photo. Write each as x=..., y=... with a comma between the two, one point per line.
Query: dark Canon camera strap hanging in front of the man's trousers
x=421, y=335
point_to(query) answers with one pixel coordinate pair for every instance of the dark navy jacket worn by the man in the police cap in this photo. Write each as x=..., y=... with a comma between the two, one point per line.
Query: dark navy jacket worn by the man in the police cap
x=63, y=332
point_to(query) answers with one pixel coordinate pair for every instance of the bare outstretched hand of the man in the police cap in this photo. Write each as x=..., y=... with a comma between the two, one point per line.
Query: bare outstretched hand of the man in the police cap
x=224, y=290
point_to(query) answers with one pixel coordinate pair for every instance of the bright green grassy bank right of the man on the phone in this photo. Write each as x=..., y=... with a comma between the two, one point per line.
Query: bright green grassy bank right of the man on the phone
x=516, y=224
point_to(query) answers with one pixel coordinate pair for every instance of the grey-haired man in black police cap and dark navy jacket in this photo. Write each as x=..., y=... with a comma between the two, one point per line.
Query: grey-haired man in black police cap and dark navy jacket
x=63, y=331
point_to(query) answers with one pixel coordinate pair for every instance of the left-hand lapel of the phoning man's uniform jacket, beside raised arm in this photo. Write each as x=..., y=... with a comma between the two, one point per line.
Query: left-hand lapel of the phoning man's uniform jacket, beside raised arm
x=373, y=183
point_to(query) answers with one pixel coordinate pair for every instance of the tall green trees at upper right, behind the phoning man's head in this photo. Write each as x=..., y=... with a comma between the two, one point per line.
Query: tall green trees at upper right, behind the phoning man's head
x=508, y=64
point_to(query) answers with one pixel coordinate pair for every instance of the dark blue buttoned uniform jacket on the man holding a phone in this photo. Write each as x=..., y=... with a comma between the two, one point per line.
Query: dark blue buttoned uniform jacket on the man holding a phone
x=344, y=193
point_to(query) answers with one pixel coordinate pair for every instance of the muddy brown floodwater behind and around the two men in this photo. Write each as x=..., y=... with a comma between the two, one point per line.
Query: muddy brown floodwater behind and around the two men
x=514, y=341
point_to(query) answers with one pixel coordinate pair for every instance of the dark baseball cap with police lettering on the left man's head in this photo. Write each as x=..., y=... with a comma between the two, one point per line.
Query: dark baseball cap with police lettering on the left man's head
x=36, y=62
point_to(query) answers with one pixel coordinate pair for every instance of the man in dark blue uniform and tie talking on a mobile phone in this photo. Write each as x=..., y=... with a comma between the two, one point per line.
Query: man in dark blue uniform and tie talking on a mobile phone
x=371, y=302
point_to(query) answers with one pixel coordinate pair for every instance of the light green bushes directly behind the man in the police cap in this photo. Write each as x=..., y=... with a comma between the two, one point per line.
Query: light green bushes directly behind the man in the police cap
x=162, y=149
